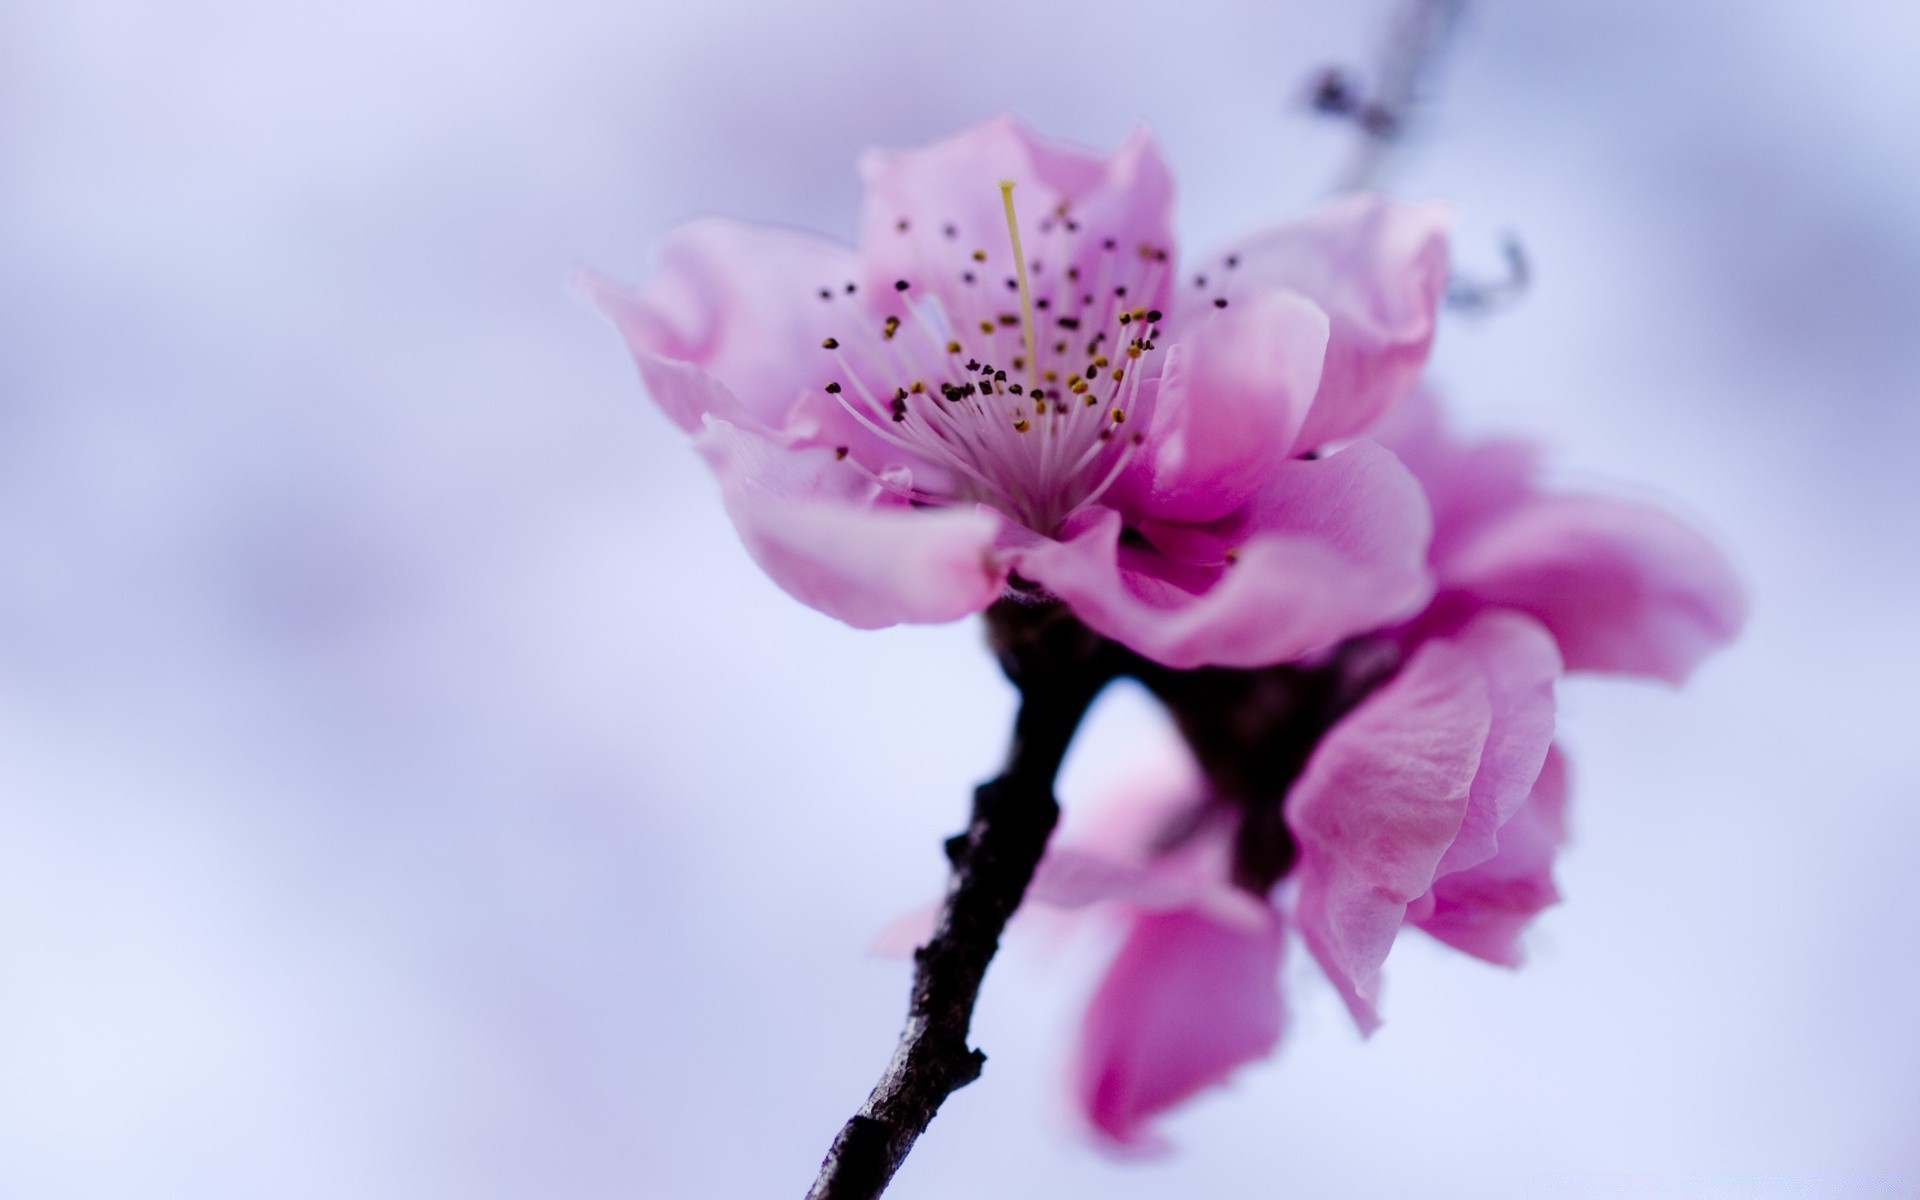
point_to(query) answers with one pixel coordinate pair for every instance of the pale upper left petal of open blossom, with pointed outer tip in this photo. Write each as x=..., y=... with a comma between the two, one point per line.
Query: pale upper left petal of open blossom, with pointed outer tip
x=742, y=304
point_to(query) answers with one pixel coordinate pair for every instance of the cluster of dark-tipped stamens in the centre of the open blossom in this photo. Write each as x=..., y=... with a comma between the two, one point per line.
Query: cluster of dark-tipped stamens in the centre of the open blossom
x=1015, y=402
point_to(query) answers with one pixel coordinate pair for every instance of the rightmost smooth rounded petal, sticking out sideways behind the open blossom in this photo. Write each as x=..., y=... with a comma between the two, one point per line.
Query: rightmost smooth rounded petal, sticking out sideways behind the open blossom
x=1621, y=587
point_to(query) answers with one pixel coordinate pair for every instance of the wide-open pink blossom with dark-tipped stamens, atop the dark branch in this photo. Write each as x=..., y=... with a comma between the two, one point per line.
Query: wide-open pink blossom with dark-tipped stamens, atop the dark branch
x=903, y=427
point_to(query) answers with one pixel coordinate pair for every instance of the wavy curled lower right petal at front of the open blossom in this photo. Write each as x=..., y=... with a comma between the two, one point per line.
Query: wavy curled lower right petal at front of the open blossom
x=1328, y=550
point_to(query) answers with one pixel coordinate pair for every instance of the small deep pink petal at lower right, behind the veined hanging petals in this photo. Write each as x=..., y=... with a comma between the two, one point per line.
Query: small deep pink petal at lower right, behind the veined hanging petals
x=1485, y=909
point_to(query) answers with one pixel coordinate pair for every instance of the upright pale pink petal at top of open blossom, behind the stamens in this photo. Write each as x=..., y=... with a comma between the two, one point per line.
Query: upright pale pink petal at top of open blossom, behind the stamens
x=1126, y=197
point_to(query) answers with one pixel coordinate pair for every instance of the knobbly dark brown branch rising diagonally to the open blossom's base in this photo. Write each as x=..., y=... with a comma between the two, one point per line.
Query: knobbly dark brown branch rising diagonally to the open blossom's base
x=1059, y=667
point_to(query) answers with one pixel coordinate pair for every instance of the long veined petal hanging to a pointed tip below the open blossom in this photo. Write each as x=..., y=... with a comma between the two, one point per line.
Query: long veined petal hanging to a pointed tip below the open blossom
x=1378, y=807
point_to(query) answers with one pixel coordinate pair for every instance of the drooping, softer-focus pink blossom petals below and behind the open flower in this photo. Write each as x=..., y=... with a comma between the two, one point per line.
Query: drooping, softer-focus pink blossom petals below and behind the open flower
x=1437, y=802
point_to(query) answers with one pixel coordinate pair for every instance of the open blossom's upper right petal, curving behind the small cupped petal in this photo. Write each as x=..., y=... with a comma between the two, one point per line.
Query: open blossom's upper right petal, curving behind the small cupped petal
x=1378, y=268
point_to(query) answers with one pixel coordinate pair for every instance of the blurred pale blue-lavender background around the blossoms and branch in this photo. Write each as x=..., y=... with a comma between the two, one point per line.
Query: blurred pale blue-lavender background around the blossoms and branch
x=408, y=788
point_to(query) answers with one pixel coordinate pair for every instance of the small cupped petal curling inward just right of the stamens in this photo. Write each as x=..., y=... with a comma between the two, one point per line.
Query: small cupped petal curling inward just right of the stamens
x=1232, y=400
